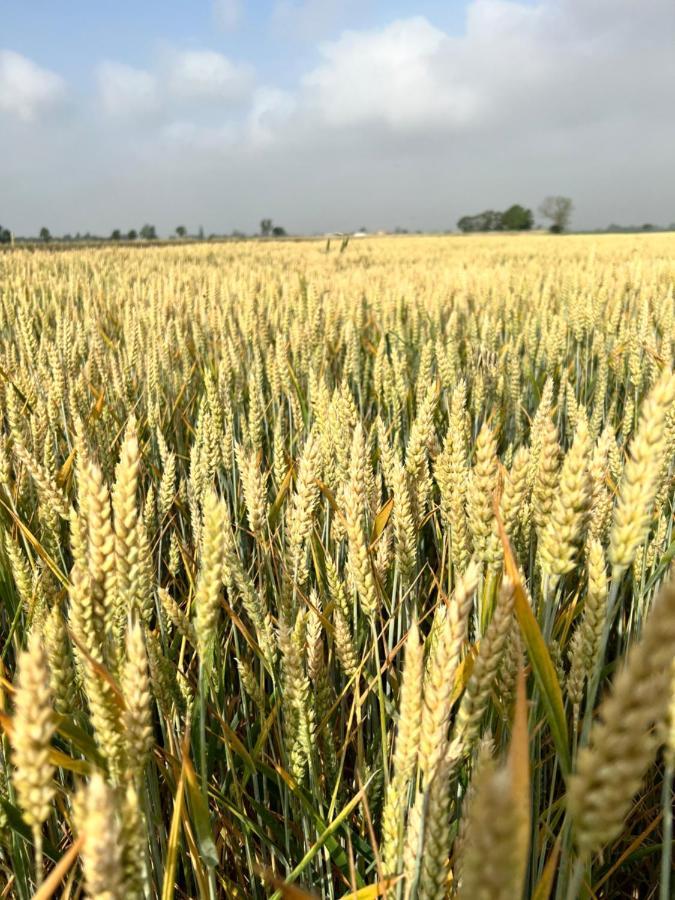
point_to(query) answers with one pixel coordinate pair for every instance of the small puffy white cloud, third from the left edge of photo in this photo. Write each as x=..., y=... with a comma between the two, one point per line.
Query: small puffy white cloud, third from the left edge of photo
x=207, y=75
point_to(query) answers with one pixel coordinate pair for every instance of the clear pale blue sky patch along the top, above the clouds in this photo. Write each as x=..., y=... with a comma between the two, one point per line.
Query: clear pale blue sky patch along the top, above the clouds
x=72, y=37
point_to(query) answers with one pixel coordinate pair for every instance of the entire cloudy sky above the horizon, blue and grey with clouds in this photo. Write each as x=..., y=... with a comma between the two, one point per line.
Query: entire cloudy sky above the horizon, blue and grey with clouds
x=332, y=114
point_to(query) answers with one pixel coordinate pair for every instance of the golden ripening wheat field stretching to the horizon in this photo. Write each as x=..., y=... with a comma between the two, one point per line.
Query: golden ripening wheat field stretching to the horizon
x=338, y=571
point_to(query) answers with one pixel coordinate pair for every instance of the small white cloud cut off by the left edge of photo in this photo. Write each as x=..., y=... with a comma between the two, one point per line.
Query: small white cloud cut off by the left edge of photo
x=26, y=89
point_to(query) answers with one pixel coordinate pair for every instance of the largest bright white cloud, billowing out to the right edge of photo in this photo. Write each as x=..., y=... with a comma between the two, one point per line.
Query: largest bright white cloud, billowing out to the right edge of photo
x=545, y=64
